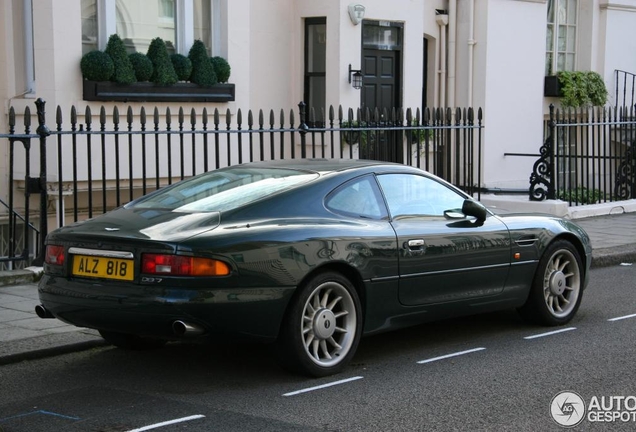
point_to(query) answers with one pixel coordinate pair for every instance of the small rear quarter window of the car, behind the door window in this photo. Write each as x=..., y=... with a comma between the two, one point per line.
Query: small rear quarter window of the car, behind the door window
x=357, y=198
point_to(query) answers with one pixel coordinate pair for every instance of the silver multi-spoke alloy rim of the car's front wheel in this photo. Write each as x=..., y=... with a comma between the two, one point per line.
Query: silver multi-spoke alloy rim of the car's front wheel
x=561, y=283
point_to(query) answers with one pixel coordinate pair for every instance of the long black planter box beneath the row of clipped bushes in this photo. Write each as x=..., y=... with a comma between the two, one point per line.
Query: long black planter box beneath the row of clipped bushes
x=107, y=91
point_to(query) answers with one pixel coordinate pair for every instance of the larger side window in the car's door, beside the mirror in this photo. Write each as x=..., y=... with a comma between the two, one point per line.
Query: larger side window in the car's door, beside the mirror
x=410, y=195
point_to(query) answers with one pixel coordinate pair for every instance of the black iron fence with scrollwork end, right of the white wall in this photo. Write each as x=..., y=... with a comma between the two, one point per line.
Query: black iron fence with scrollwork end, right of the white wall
x=587, y=157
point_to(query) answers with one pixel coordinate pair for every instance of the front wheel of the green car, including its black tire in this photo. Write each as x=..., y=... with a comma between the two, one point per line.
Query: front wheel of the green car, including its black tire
x=557, y=288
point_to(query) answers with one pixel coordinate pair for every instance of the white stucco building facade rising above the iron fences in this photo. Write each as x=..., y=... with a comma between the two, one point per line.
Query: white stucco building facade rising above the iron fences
x=488, y=54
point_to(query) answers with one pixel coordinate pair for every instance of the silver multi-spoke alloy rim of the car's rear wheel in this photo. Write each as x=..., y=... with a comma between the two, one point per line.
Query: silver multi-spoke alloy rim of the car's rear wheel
x=328, y=324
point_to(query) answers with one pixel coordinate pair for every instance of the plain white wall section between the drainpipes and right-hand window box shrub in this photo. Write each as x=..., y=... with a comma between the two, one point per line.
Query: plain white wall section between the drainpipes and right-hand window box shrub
x=509, y=86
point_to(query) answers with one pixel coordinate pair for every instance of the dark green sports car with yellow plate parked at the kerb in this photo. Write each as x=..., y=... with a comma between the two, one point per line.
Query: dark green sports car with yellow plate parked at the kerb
x=310, y=255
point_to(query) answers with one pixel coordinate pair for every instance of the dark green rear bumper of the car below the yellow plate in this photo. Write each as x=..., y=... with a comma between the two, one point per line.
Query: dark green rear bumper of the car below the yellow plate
x=252, y=313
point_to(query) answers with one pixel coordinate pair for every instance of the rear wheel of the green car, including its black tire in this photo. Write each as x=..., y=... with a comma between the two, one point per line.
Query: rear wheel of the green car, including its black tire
x=322, y=327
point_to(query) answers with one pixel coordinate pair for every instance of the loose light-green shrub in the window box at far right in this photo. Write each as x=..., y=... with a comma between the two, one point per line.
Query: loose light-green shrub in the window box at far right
x=582, y=89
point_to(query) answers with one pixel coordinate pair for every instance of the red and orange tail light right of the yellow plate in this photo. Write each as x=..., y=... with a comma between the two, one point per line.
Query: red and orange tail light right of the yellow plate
x=176, y=265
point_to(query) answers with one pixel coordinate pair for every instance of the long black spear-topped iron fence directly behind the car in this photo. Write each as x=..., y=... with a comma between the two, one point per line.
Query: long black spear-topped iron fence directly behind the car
x=90, y=163
